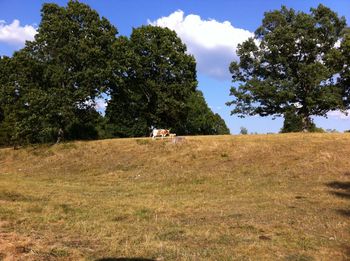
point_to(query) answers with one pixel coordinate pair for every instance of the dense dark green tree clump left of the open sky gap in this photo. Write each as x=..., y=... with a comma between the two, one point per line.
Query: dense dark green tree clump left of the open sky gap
x=49, y=88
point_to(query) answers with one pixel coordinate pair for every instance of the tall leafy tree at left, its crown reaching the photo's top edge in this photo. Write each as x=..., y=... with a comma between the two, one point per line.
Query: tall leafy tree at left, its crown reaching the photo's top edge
x=58, y=75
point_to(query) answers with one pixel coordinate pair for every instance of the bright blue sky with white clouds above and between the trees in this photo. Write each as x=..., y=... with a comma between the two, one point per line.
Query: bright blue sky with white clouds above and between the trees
x=211, y=29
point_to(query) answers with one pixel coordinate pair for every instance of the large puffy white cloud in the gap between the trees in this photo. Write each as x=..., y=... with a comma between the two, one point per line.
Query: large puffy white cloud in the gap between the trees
x=212, y=43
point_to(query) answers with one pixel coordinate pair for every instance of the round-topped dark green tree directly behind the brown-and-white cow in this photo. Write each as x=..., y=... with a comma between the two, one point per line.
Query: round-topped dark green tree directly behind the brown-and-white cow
x=157, y=79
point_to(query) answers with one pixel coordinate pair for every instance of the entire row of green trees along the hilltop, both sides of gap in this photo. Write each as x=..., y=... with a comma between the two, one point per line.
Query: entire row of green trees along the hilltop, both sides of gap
x=296, y=66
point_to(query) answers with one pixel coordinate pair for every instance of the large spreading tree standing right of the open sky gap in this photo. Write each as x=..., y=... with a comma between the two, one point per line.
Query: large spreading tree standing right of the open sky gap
x=287, y=67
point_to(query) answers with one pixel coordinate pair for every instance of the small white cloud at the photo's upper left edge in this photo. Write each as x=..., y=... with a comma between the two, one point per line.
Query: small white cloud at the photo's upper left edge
x=16, y=34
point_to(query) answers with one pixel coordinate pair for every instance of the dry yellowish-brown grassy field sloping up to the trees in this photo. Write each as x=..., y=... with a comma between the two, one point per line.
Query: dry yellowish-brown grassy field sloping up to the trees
x=256, y=197
